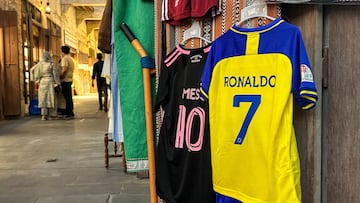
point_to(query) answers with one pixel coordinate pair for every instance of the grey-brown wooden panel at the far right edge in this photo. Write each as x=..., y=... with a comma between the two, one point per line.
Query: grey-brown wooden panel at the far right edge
x=342, y=129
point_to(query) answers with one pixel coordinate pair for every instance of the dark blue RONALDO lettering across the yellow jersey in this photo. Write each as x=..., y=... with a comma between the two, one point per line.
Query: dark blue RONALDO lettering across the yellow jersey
x=250, y=81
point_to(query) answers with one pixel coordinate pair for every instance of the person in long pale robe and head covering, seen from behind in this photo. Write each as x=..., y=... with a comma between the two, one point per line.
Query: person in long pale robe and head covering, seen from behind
x=48, y=79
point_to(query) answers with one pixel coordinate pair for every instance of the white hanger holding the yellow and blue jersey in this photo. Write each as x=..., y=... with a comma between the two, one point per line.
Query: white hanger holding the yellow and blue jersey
x=257, y=9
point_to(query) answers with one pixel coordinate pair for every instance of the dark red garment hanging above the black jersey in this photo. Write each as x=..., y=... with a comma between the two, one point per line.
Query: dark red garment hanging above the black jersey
x=176, y=12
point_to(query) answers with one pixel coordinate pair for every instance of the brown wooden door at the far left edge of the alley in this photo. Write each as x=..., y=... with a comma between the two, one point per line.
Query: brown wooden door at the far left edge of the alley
x=10, y=78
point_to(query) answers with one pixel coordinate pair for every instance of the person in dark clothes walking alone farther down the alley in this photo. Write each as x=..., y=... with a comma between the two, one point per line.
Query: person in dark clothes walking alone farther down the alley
x=100, y=82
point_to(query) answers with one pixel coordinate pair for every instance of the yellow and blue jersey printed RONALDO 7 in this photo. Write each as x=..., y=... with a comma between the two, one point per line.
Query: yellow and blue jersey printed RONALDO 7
x=250, y=79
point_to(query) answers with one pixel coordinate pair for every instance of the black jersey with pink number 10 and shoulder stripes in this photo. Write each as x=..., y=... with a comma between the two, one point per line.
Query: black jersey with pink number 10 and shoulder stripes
x=183, y=170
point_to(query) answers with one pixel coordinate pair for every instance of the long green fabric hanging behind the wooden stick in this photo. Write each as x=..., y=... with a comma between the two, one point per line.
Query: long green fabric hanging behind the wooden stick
x=139, y=16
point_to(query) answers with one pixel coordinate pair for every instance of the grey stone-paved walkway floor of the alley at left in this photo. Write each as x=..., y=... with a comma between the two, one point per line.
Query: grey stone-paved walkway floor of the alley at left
x=62, y=161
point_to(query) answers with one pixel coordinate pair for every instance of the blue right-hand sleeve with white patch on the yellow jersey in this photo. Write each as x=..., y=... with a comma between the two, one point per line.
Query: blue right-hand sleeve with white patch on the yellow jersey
x=304, y=88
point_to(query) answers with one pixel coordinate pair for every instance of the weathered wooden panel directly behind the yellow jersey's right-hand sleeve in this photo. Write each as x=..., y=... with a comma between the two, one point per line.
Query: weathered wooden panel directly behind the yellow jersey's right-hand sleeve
x=308, y=123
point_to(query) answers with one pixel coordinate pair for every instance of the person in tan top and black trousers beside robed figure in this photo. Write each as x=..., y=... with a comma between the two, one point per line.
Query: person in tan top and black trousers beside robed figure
x=67, y=70
